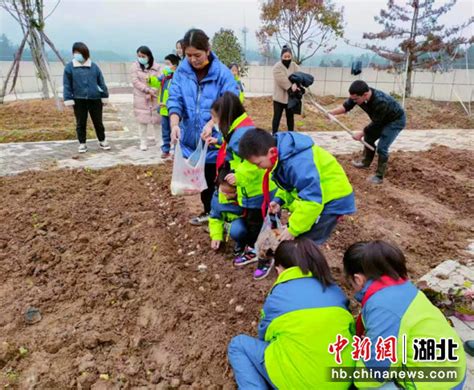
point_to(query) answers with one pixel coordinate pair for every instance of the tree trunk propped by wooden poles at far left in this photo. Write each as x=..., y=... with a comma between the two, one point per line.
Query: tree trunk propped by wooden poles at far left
x=30, y=16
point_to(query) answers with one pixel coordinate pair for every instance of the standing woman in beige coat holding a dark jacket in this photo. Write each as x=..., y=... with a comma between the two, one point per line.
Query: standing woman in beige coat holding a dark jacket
x=281, y=86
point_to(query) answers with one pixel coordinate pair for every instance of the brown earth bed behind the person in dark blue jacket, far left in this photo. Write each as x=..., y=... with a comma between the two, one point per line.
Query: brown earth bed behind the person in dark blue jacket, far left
x=40, y=120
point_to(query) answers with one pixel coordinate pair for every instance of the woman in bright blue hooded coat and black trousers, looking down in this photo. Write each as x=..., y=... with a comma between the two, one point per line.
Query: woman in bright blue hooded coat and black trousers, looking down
x=197, y=83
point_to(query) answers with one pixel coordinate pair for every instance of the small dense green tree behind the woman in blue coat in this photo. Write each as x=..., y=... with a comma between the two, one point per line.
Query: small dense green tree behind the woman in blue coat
x=227, y=47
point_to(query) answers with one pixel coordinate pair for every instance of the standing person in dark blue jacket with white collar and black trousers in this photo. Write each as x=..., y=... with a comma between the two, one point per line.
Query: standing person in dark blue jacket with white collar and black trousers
x=84, y=89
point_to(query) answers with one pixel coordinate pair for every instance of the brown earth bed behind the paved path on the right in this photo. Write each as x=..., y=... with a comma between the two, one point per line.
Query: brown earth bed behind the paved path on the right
x=421, y=114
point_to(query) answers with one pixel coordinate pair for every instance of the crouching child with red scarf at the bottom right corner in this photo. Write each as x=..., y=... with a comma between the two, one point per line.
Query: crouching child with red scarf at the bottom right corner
x=398, y=322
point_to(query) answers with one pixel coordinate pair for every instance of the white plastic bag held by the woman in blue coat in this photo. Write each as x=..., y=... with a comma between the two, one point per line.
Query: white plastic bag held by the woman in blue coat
x=188, y=174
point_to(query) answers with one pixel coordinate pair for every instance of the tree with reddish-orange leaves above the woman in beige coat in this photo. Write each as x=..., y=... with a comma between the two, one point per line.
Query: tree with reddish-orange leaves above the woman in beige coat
x=306, y=26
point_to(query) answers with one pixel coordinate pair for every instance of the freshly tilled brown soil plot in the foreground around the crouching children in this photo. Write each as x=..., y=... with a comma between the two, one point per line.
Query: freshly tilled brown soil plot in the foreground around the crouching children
x=110, y=261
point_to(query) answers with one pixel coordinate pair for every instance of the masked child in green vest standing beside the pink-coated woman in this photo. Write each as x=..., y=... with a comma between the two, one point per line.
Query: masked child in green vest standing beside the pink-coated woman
x=162, y=84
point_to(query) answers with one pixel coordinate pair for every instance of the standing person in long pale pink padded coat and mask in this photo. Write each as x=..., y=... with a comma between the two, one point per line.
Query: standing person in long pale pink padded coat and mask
x=144, y=97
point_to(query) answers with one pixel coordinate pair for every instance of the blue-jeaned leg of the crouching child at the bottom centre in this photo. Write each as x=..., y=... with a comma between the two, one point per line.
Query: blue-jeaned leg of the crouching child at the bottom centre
x=246, y=356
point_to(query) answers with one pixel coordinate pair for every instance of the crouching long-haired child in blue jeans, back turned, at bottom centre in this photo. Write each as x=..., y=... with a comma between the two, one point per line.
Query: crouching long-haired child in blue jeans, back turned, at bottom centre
x=303, y=313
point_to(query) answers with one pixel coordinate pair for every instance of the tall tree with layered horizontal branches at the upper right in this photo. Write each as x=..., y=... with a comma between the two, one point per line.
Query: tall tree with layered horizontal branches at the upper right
x=424, y=43
